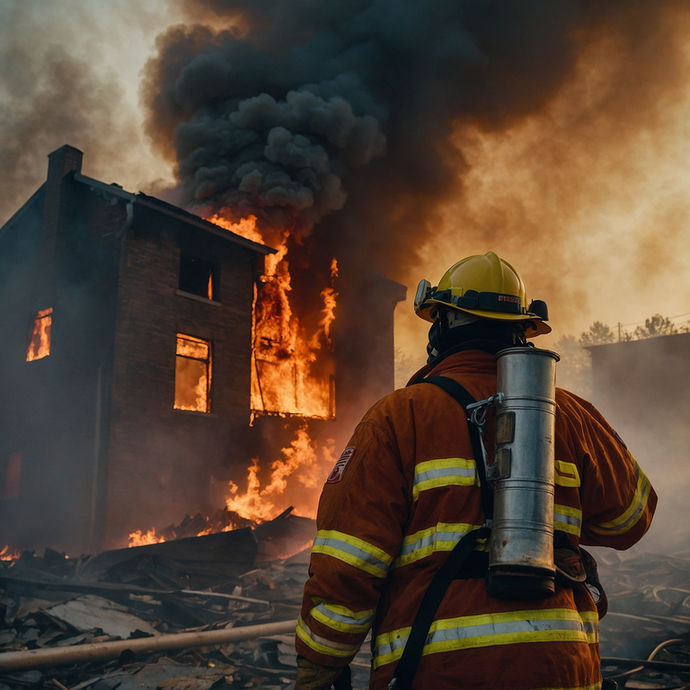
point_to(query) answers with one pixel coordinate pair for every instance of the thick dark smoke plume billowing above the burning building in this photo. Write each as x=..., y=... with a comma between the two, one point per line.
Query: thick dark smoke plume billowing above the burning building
x=297, y=112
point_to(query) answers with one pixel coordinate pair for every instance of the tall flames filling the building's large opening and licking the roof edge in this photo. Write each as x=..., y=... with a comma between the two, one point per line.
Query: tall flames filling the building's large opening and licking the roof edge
x=291, y=368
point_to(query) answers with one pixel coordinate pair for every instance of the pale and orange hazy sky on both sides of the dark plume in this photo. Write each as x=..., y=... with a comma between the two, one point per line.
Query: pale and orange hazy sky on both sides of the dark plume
x=592, y=208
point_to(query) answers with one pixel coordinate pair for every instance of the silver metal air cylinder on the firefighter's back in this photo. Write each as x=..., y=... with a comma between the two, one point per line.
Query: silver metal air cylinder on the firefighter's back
x=521, y=564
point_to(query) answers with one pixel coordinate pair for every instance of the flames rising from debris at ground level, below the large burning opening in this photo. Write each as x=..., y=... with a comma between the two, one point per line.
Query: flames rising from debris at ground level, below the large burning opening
x=299, y=462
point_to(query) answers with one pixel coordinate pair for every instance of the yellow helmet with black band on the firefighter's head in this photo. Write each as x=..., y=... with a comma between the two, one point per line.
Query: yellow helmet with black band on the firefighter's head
x=485, y=286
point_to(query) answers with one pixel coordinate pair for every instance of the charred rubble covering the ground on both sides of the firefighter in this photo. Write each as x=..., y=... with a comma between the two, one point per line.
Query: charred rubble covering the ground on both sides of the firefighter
x=219, y=583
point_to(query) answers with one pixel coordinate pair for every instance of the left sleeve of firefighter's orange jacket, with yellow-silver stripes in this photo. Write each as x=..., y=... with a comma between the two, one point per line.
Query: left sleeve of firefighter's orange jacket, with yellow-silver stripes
x=360, y=522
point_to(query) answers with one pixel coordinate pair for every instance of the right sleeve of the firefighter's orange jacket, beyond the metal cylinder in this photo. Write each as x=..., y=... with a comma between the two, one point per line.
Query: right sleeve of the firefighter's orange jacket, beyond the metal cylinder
x=618, y=500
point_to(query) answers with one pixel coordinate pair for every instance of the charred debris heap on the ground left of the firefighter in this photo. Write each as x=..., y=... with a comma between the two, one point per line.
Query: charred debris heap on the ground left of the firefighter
x=201, y=586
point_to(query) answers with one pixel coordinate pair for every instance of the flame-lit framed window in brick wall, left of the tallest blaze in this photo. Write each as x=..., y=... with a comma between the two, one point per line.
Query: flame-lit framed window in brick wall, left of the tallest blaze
x=193, y=374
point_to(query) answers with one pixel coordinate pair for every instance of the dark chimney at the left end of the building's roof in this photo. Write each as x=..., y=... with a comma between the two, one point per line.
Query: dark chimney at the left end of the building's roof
x=61, y=162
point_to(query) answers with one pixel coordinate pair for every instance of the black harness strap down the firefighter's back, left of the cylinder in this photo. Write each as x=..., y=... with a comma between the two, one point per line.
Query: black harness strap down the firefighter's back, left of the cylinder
x=407, y=666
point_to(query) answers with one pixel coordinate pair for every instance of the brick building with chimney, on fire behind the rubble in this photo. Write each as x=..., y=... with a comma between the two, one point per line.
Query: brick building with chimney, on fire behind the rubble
x=135, y=355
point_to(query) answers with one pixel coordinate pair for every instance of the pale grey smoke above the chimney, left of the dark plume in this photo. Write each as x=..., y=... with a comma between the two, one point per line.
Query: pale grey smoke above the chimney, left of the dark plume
x=63, y=81
